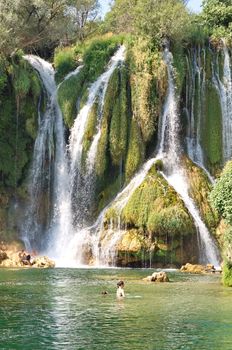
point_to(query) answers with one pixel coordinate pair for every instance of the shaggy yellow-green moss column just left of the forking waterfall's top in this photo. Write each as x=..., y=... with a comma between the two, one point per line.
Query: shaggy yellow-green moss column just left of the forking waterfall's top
x=148, y=86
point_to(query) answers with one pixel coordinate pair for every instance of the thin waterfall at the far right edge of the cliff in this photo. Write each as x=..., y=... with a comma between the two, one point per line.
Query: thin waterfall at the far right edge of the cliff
x=224, y=88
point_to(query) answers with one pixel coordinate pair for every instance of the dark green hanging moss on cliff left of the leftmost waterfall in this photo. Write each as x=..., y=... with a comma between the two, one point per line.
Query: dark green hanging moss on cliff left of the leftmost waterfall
x=18, y=119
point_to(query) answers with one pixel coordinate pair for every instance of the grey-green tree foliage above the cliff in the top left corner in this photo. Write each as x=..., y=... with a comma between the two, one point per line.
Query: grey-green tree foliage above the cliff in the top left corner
x=39, y=23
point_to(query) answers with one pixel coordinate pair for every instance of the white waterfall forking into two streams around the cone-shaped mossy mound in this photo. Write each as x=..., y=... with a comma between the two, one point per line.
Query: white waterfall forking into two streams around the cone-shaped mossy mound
x=104, y=248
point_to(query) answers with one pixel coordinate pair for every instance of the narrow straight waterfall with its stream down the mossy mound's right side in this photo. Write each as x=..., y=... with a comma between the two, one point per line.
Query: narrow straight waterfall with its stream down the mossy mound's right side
x=174, y=173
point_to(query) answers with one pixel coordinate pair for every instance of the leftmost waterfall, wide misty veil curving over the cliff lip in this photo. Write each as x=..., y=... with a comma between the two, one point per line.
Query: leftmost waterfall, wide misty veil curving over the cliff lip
x=49, y=172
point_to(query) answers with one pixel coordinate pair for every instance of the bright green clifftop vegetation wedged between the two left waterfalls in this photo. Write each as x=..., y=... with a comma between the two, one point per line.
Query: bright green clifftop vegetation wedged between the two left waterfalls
x=95, y=56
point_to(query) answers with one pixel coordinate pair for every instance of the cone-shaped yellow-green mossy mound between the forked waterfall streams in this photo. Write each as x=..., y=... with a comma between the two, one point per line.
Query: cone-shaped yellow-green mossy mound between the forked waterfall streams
x=156, y=208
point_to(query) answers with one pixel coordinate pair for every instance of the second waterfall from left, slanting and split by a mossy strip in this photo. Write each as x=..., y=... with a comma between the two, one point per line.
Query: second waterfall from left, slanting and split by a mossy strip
x=83, y=182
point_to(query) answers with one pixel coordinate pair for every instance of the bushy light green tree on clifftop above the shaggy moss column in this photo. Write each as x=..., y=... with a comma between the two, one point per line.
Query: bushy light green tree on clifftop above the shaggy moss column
x=153, y=19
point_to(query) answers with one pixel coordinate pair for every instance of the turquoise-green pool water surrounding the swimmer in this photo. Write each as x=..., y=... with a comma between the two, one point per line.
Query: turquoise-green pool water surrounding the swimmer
x=65, y=309
